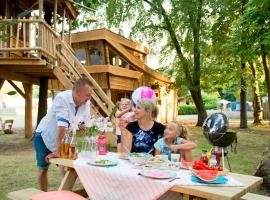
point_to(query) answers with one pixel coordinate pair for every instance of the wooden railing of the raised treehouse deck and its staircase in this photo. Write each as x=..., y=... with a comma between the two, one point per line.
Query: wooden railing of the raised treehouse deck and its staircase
x=35, y=38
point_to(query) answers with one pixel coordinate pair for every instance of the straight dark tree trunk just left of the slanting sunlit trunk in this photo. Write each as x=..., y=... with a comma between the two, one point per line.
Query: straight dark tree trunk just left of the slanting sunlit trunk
x=243, y=99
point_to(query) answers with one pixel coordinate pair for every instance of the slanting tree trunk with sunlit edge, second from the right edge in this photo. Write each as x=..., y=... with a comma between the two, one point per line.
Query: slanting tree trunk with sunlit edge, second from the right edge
x=257, y=104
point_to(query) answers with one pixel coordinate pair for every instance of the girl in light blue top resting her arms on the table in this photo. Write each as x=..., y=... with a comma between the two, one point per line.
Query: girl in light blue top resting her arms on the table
x=175, y=141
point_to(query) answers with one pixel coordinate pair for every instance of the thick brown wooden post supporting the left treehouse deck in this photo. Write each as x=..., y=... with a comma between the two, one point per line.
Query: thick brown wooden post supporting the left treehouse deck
x=28, y=129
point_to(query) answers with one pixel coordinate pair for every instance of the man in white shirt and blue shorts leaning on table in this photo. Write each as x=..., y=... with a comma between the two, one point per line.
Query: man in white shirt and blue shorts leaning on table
x=68, y=109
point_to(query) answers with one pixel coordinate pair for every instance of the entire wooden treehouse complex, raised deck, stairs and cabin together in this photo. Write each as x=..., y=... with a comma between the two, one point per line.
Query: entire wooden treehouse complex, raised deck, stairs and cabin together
x=35, y=50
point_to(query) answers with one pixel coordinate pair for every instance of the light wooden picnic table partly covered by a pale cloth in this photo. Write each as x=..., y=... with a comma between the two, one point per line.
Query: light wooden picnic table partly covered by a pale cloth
x=89, y=174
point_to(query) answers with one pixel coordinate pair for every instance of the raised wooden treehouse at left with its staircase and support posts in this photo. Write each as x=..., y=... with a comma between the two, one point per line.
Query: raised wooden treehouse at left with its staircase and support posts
x=33, y=51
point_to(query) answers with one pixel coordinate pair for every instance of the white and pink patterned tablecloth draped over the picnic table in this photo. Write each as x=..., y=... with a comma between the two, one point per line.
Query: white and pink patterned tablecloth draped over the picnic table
x=123, y=182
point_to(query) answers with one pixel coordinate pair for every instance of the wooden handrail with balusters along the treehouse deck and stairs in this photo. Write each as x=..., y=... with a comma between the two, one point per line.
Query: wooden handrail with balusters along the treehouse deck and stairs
x=50, y=45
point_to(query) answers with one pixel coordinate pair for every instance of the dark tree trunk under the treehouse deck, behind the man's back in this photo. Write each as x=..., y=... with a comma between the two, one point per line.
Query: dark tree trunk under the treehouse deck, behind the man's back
x=43, y=95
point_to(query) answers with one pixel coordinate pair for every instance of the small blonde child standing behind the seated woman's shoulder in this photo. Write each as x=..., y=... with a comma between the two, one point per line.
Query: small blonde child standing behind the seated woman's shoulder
x=123, y=116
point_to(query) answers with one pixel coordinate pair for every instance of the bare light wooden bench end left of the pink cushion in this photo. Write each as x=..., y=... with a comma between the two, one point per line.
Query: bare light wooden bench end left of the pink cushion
x=24, y=194
